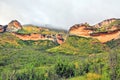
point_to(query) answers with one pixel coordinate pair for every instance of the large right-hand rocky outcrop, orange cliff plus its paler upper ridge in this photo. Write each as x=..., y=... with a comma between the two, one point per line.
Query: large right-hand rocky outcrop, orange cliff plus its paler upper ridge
x=113, y=32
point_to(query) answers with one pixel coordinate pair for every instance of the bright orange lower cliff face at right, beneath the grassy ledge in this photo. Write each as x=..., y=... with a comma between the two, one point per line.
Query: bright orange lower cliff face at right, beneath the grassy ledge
x=103, y=37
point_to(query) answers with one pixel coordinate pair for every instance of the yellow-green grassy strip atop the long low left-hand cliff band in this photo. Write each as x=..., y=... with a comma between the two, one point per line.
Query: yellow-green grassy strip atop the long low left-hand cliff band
x=28, y=29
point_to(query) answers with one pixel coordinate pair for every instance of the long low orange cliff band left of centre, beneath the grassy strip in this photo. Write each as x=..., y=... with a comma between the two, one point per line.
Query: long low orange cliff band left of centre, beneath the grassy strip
x=34, y=36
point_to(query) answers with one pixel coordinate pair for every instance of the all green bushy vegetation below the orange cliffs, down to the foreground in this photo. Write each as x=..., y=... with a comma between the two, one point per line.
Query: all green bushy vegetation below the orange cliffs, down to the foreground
x=79, y=58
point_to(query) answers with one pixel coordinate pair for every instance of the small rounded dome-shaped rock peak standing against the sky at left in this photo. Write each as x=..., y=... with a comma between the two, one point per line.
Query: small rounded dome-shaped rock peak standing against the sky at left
x=14, y=26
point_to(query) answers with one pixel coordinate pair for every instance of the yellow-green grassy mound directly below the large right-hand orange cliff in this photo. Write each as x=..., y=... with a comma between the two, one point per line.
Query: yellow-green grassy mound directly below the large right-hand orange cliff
x=79, y=45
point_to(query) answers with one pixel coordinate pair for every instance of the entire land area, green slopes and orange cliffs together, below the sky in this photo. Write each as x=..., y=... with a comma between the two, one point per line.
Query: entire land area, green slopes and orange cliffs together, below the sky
x=29, y=52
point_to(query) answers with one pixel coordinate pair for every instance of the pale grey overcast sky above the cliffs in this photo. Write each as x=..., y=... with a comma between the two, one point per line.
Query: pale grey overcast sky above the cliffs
x=61, y=13
